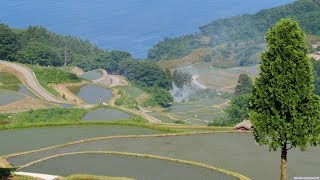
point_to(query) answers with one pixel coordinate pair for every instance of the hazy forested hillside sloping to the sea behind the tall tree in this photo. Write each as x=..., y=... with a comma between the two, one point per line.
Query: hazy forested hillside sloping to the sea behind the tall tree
x=238, y=41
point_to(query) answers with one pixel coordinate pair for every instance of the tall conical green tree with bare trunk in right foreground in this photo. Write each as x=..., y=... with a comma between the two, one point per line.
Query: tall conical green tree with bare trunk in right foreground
x=284, y=109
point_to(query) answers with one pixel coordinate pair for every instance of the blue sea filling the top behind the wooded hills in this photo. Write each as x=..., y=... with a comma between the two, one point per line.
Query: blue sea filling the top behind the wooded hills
x=129, y=25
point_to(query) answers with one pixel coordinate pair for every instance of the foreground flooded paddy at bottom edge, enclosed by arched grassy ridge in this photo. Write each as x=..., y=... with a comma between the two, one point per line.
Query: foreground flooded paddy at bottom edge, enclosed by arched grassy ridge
x=120, y=165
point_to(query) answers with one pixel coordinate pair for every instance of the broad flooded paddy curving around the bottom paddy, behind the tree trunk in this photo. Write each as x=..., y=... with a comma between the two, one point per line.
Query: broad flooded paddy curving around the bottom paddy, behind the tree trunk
x=236, y=152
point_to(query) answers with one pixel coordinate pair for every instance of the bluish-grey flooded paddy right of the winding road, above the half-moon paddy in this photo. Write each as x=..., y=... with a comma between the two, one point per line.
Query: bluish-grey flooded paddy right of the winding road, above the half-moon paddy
x=91, y=93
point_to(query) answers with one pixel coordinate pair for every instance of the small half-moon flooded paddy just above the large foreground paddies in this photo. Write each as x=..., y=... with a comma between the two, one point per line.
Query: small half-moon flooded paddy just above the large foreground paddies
x=105, y=114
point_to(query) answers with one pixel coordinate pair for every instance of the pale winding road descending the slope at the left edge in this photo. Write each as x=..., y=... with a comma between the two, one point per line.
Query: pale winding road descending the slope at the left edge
x=31, y=81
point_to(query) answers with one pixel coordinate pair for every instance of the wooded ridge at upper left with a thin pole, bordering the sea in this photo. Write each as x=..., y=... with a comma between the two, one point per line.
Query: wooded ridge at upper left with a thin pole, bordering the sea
x=36, y=45
